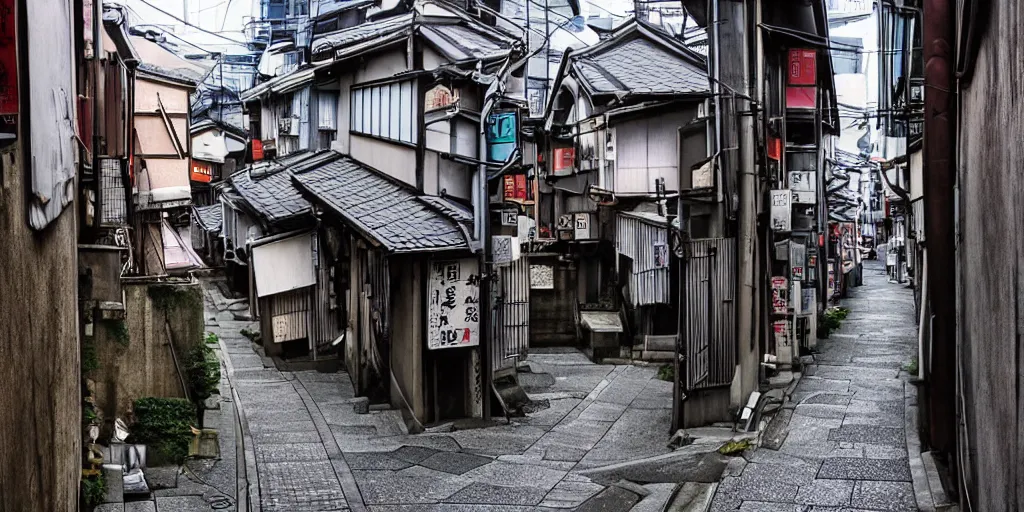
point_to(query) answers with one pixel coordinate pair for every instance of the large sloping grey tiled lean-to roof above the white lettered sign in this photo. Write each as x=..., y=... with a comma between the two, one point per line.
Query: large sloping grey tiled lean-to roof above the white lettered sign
x=381, y=209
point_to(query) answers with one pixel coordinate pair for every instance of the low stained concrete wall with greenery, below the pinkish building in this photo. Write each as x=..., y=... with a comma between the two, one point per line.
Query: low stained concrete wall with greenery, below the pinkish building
x=145, y=366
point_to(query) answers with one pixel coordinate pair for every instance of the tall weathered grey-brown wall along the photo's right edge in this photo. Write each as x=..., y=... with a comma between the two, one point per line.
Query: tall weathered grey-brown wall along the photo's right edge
x=992, y=259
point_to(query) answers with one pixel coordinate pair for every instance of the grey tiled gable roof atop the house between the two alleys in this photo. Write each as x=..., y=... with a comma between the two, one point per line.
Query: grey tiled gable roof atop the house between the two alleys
x=641, y=66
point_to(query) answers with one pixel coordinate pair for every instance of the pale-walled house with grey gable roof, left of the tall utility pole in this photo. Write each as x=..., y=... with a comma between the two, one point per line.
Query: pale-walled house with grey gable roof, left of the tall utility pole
x=625, y=115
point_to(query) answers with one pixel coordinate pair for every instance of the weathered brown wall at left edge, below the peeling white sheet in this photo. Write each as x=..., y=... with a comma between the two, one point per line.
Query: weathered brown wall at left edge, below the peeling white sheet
x=40, y=392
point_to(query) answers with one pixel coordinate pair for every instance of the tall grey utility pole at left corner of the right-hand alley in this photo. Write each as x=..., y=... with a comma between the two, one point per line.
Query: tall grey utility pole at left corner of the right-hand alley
x=740, y=176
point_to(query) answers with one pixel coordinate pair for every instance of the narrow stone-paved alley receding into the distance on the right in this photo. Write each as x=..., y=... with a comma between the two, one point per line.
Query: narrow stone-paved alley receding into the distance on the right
x=846, y=446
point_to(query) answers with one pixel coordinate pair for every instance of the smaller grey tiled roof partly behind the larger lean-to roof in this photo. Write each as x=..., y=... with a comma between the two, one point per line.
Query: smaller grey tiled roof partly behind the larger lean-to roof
x=268, y=188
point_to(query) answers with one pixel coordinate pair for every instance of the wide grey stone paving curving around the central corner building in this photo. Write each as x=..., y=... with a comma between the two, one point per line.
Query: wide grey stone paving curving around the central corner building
x=313, y=452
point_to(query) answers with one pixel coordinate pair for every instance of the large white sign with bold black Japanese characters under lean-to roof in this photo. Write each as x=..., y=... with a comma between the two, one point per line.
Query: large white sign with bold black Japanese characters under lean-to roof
x=454, y=310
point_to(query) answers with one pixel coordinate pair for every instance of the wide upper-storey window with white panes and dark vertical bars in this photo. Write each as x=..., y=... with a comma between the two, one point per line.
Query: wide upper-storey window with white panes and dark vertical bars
x=387, y=111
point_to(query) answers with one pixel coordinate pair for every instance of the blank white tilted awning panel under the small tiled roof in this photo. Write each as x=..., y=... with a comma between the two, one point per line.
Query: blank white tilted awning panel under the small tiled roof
x=283, y=265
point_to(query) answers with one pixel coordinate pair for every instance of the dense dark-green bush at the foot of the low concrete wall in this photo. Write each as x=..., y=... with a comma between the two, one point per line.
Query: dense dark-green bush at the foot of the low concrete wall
x=165, y=426
